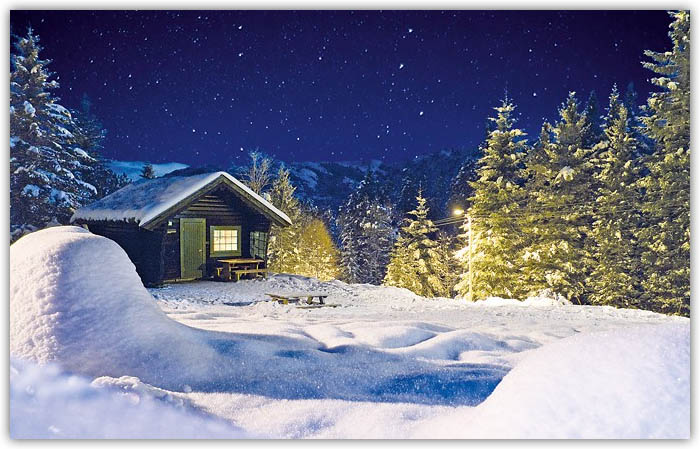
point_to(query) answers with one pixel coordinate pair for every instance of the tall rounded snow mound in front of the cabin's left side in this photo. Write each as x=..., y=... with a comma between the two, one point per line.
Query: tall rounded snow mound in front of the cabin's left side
x=76, y=299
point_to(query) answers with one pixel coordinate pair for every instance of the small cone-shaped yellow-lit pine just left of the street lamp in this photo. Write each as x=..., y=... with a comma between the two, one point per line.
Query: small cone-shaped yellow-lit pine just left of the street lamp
x=416, y=260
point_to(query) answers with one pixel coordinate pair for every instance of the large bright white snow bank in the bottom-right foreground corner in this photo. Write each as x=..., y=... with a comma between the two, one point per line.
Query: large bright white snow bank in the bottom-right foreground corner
x=632, y=383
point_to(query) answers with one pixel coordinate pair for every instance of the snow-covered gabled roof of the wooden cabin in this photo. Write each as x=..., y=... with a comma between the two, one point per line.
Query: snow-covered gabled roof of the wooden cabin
x=149, y=201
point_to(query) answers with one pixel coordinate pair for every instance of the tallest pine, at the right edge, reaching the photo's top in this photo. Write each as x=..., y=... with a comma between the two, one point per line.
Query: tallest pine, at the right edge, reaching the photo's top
x=666, y=206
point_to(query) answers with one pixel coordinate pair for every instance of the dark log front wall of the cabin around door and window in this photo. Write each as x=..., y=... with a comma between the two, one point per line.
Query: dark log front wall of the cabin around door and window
x=220, y=208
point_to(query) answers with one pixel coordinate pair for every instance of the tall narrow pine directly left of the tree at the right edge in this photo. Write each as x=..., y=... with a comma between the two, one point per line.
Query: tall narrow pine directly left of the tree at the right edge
x=616, y=278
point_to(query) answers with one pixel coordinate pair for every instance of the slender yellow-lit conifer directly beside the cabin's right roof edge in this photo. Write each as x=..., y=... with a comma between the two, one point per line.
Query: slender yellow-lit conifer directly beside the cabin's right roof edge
x=283, y=247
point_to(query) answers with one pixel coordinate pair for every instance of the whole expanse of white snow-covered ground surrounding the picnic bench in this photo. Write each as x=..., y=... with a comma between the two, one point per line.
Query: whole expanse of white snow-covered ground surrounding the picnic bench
x=383, y=363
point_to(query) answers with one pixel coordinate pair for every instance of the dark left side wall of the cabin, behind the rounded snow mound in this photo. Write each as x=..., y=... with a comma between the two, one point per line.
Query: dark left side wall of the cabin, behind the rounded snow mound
x=143, y=247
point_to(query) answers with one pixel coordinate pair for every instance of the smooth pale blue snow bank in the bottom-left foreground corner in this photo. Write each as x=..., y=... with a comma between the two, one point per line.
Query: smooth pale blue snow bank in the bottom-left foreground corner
x=46, y=403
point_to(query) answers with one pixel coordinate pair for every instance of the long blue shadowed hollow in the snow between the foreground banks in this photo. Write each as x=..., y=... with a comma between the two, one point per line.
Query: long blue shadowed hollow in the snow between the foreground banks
x=302, y=368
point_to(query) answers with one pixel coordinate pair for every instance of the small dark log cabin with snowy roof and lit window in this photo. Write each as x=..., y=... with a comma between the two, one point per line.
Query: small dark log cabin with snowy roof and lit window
x=180, y=226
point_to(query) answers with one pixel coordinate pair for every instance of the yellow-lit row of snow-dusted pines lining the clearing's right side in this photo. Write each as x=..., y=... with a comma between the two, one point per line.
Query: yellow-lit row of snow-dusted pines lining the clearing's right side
x=596, y=209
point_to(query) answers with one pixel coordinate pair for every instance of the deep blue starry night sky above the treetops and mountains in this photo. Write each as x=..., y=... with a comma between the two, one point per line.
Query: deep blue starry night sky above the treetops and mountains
x=205, y=87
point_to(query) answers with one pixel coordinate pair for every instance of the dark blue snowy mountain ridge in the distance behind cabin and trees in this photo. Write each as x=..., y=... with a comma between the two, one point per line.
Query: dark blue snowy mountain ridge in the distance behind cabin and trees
x=327, y=185
